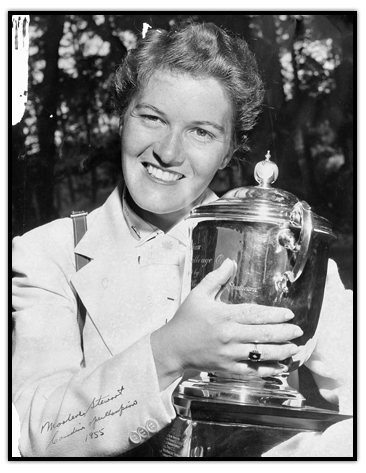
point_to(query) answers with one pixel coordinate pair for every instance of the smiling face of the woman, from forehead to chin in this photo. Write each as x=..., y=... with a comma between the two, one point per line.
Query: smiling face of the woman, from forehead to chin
x=175, y=136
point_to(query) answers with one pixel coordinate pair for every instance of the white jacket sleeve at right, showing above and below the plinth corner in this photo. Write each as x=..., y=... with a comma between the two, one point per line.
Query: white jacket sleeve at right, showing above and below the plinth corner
x=331, y=364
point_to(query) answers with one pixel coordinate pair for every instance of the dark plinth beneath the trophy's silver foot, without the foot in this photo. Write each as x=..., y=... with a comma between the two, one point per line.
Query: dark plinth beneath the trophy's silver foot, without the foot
x=217, y=429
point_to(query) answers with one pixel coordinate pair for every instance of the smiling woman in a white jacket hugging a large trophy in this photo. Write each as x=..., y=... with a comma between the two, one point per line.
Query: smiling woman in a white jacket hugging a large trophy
x=186, y=100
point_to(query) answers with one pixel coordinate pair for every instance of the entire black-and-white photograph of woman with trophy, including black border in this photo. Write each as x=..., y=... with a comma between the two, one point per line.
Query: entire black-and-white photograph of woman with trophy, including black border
x=182, y=196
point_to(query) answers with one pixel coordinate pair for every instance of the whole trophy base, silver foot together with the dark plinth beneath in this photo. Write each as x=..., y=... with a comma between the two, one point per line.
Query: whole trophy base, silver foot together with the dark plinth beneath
x=224, y=418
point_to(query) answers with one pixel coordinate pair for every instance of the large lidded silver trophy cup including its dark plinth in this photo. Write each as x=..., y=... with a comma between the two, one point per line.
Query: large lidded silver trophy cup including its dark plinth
x=281, y=249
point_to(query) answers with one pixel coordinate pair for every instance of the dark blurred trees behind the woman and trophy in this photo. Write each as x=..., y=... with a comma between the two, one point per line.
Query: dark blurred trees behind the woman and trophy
x=66, y=150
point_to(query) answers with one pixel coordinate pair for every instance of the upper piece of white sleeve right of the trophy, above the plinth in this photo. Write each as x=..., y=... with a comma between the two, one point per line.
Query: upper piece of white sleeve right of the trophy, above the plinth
x=331, y=362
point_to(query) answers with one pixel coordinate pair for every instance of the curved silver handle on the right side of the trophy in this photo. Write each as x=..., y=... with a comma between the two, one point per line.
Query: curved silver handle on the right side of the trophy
x=301, y=215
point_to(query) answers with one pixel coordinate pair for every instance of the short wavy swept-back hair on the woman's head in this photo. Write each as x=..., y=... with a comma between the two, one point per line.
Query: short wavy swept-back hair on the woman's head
x=200, y=50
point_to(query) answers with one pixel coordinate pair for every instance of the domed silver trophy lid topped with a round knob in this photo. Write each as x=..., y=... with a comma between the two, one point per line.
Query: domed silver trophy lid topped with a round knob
x=262, y=203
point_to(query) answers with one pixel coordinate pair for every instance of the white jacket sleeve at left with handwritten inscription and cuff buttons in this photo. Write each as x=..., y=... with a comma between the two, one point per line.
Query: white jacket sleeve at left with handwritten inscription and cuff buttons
x=66, y=410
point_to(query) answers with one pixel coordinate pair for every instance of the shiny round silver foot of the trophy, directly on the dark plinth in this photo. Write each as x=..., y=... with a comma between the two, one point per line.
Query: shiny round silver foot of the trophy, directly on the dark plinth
x=271, y=391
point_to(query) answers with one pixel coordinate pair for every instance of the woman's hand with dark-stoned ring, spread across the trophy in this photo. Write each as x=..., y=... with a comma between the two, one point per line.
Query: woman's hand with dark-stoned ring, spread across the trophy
x=208, y=335
